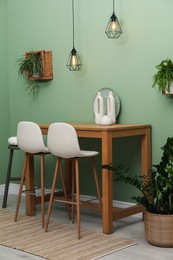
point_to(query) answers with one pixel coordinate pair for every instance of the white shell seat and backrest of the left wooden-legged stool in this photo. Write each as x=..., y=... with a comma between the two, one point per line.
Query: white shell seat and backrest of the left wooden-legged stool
x=29, y=138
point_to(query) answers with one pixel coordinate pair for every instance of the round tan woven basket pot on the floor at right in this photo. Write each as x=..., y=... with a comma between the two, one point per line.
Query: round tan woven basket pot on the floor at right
x=159, y=229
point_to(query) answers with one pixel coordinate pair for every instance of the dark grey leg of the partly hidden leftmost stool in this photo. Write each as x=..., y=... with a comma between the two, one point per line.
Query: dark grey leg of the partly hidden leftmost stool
x=4, y=204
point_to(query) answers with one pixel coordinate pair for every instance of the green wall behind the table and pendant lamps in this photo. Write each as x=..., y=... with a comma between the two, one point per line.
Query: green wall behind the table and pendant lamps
x=125, y=65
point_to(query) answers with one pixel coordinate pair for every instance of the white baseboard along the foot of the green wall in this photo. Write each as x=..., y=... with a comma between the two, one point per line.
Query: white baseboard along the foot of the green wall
x=14, y=188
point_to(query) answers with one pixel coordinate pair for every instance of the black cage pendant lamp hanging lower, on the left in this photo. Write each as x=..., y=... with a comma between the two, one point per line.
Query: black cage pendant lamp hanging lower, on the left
x=74, y=62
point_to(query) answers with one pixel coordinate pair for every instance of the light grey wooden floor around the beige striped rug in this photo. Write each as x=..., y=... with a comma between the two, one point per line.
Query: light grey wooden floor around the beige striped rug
x=131, y=227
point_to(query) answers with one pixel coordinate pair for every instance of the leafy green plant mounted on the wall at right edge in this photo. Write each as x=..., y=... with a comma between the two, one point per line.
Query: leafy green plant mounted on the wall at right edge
x=164, y=77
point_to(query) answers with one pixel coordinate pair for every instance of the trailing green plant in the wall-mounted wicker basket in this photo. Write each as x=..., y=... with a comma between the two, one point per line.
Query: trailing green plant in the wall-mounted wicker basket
x=30, y=67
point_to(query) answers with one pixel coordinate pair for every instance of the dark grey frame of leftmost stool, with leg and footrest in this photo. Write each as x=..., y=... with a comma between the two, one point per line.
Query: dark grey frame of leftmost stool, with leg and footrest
x=9, y=178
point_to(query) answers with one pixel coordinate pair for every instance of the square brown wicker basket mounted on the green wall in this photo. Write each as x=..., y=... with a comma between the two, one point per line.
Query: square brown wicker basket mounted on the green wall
x=47, y=68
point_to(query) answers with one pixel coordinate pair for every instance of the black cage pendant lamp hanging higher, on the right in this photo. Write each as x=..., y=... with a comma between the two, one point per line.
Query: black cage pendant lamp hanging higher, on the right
x=113, y=29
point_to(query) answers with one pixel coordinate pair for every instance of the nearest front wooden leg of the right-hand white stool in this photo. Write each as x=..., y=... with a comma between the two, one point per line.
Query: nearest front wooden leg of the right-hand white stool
x=77, y=195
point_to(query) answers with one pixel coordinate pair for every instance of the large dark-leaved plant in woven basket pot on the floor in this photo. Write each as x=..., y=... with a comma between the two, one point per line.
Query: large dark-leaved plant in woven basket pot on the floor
x=156, y=189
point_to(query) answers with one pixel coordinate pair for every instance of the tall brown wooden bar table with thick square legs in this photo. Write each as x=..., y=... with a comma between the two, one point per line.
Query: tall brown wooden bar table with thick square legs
x=106, y=134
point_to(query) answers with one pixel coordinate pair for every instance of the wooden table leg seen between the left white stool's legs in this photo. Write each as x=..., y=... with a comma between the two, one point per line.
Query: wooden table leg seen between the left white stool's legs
x=30, y=197
